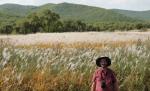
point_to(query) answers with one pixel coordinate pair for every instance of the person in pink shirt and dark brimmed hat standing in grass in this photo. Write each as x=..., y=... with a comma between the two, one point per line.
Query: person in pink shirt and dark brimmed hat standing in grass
x=104, y=78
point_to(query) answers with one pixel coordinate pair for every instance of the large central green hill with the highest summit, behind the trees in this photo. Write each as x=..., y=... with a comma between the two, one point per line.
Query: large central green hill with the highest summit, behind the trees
x=87, y=13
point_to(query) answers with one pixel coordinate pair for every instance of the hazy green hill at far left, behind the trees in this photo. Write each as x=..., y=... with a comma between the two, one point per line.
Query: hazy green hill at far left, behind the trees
x=11, y=12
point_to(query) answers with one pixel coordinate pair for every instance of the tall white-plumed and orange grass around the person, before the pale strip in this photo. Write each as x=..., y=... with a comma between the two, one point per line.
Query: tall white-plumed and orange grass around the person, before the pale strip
x=69, y=66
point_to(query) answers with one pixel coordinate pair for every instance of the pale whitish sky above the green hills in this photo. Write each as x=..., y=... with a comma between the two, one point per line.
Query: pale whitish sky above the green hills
x=136, y=5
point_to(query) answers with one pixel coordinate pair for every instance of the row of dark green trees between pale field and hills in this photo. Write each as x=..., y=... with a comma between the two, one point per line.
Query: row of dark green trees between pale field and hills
x=48, y=21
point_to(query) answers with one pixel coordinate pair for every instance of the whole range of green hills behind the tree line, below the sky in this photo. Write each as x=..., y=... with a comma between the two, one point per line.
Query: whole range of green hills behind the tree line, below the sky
x=70, y=11
